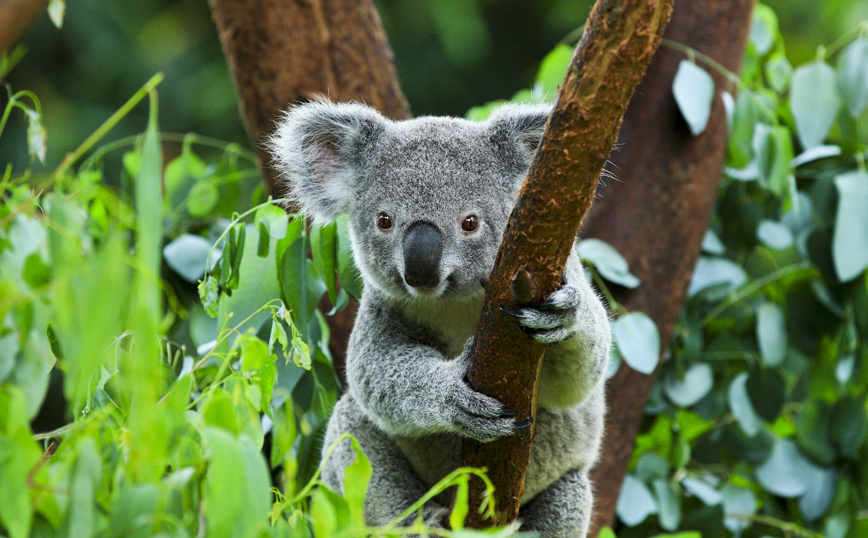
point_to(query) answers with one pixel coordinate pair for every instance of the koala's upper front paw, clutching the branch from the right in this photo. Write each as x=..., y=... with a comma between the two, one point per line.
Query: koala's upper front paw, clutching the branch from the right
x=552, y=321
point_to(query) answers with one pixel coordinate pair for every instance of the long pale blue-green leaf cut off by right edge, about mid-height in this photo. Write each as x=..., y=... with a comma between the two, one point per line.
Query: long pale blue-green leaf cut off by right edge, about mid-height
x=850, y=241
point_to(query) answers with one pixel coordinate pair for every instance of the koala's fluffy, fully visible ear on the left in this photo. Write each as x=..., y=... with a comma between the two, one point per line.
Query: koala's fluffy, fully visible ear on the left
x=319, y=149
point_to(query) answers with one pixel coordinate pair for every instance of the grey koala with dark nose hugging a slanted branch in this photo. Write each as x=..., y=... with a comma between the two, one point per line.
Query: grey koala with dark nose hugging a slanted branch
x=427, y=202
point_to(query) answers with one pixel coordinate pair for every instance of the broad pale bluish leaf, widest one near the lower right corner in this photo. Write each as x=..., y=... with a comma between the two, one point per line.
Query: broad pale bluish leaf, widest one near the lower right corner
x=787, y=473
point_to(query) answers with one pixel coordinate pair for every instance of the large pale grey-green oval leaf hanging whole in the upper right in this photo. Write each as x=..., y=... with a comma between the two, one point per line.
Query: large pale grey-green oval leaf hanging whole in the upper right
x=814, y=102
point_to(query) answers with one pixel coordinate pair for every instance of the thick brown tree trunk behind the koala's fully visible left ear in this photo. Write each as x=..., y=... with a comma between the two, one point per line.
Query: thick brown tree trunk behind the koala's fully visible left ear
x=282, y=52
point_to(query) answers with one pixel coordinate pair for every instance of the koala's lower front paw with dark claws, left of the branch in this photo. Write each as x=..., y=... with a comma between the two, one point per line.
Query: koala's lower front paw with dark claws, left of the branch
x=481, y=417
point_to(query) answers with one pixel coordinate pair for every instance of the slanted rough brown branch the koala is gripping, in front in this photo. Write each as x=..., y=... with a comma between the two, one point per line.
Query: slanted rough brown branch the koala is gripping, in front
x=620, y=39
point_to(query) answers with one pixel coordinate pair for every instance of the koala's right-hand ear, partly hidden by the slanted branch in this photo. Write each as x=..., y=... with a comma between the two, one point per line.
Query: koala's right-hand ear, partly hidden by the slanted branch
x=515, y=131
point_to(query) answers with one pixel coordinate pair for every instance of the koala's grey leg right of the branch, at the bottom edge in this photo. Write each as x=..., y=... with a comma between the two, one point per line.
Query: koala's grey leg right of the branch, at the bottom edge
x=562, y=510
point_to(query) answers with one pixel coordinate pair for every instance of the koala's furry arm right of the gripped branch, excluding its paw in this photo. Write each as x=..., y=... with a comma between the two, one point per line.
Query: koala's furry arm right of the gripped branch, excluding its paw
x=572, y=369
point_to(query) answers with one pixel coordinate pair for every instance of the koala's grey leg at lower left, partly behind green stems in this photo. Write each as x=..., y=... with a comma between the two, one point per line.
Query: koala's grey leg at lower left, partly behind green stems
x=394, y=485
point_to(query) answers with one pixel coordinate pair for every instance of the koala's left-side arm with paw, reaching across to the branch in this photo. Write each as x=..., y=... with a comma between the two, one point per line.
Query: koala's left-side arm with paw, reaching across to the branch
x=411, y=389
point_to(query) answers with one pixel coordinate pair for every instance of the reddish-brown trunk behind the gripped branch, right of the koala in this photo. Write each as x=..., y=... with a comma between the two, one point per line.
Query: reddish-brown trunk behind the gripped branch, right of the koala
x=656, y=215
